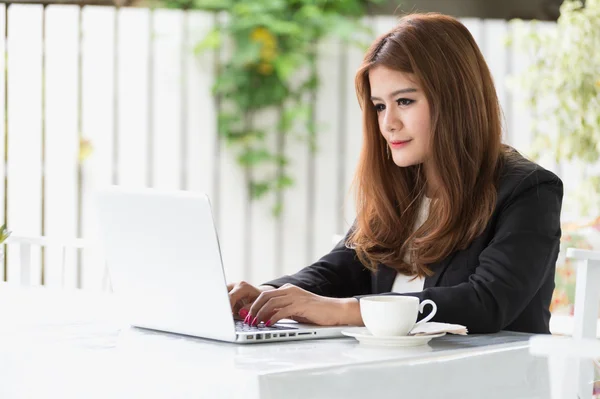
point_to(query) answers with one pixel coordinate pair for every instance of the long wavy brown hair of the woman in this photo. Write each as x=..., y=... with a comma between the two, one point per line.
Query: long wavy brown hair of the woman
x=466, y=148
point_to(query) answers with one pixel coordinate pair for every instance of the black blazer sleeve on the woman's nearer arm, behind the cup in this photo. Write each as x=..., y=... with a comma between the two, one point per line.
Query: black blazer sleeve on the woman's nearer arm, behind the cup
x=511, y=268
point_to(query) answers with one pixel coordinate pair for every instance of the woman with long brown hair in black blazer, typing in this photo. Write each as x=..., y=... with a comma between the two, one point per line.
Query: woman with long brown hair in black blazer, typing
x=444, y=210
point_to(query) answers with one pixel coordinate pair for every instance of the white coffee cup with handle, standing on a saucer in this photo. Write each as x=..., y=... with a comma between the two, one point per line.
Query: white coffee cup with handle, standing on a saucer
x=393, y=315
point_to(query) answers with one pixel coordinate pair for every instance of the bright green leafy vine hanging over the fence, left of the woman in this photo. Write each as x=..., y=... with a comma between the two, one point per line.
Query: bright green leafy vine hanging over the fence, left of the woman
x=271, y=48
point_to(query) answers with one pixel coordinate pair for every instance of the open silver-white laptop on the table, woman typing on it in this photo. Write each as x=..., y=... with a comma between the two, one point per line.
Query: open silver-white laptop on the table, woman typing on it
x=164, y=262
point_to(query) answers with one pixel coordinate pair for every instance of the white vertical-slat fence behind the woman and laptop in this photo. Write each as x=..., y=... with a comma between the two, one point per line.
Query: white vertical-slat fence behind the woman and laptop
x=127, y=82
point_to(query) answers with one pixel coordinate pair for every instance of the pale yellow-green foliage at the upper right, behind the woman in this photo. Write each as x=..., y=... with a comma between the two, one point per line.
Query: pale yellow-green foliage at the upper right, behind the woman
x=562, y=89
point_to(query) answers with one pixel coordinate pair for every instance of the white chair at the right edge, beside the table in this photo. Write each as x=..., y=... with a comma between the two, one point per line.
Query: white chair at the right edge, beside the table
x=570, y=358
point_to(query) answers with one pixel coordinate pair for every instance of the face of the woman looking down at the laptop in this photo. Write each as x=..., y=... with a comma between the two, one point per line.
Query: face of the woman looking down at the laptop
x=403, y=115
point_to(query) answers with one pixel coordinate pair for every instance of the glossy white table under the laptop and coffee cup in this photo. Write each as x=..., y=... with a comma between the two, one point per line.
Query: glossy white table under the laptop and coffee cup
x=76, y=344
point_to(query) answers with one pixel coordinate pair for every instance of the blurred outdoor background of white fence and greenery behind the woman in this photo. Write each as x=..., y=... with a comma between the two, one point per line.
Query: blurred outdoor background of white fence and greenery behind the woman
x=253, y=103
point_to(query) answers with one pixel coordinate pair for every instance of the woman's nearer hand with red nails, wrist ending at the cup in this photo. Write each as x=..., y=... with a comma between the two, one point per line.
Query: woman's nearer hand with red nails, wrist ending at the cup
x=293, y=302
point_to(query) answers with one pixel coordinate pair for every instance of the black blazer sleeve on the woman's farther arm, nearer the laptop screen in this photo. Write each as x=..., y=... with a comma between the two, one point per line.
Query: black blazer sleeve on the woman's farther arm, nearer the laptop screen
x=338, y=274
